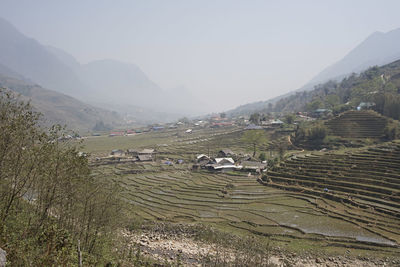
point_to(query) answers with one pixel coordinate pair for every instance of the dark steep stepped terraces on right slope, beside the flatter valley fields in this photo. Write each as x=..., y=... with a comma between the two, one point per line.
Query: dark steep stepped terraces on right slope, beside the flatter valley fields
x=361, y=187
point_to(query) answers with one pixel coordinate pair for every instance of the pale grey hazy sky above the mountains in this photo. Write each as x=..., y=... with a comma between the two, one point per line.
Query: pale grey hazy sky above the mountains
x=225, y=51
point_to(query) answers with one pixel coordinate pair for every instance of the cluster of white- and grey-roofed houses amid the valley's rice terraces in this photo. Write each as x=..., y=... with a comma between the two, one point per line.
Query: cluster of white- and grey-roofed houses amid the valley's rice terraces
x=225, y=161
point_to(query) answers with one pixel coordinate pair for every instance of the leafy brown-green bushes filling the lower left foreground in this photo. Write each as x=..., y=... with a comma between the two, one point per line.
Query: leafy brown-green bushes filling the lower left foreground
x=48, y=198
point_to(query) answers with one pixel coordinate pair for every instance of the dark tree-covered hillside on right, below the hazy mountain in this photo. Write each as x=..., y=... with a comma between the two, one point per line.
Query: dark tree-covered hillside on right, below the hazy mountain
x=377, y=85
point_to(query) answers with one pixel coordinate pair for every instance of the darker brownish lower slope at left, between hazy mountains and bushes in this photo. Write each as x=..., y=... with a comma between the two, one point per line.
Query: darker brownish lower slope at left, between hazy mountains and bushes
x=60, y=108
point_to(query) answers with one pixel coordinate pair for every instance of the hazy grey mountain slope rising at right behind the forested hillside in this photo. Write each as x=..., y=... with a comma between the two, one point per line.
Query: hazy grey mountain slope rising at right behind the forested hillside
x=377, y=50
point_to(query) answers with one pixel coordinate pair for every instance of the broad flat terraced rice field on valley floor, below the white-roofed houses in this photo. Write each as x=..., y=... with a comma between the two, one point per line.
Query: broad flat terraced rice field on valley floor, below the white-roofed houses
x=236, y=203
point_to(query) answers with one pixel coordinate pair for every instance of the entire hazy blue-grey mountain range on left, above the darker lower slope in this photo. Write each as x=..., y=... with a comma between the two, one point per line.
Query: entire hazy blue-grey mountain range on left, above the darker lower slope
x=103, y=81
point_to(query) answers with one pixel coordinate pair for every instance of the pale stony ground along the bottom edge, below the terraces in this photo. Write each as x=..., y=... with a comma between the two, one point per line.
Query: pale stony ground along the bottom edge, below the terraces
x=190, y=252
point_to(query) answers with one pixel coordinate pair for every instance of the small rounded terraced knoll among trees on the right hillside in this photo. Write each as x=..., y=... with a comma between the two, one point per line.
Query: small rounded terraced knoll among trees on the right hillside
x=358, y=124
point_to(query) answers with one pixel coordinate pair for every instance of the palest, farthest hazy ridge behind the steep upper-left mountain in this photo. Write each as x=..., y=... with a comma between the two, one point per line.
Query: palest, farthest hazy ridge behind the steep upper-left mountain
x=126, y=88
